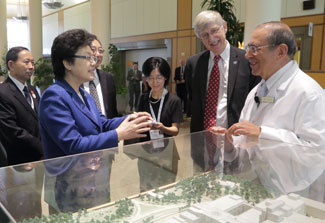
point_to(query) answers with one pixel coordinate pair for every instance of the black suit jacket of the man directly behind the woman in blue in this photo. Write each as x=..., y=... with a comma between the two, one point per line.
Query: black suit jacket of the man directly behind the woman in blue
x=109, y=93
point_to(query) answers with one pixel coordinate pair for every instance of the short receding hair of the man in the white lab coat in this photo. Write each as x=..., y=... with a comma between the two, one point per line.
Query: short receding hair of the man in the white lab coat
x=281, y=33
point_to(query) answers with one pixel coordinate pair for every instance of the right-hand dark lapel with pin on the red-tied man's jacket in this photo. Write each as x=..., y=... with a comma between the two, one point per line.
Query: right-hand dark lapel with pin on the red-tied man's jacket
x=232, y=73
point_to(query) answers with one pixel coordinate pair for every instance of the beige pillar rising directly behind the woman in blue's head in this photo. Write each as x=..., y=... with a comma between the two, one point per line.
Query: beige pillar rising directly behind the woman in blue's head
x=101, y=24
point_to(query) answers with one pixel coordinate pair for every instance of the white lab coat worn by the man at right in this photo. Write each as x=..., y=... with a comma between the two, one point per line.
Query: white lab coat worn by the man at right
x=297, y=114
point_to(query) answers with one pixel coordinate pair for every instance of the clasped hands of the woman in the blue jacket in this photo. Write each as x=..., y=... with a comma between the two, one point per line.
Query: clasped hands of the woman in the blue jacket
x=134, y=126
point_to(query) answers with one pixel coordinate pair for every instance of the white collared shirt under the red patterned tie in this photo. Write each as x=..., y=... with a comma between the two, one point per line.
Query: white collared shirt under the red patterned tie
x=223, y=64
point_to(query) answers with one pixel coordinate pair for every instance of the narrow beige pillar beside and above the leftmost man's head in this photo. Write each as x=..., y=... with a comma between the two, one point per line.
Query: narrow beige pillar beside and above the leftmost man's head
x=35, y=28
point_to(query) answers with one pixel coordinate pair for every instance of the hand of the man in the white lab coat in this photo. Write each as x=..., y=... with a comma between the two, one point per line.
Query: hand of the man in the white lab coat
x=244, y=128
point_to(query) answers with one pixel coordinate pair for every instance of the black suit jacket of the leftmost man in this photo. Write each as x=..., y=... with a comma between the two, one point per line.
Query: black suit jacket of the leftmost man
x=19, y=132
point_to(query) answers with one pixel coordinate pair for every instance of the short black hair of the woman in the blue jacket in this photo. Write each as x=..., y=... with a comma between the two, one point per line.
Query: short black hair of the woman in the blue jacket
x=65, y=46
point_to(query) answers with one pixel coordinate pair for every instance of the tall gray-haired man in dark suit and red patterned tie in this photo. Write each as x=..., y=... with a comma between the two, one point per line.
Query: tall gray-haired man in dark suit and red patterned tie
x=233, y=83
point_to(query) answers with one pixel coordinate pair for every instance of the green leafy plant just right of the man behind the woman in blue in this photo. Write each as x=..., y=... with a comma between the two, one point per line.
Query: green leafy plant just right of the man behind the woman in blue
x=115, y=67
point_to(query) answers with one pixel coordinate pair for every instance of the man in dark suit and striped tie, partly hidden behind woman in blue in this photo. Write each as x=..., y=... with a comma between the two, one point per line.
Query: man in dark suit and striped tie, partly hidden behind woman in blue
x=103, y=84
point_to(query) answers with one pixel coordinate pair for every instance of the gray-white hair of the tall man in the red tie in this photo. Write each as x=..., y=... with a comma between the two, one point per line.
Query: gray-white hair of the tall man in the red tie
x=205, y=19
